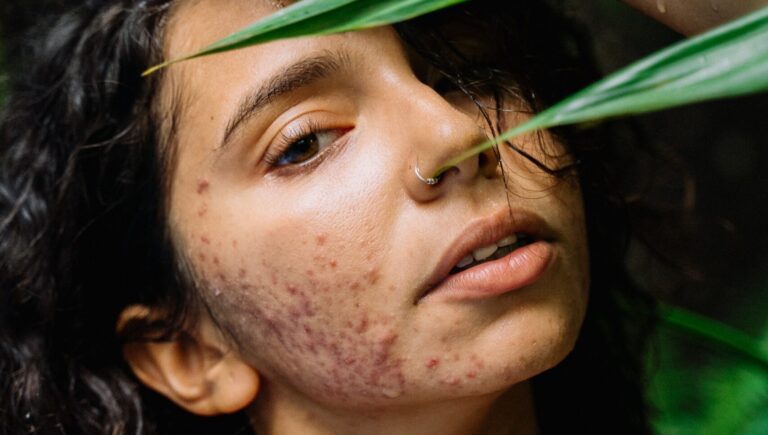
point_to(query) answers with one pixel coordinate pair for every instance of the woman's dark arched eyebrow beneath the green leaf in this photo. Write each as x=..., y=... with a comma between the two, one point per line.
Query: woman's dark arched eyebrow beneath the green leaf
x=295, y=76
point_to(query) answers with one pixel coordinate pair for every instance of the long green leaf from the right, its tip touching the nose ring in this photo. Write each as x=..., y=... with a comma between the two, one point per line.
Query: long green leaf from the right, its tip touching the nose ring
x=728, y=61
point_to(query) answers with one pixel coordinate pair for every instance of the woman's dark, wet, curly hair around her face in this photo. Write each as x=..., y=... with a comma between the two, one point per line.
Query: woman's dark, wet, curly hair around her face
x=85, y=163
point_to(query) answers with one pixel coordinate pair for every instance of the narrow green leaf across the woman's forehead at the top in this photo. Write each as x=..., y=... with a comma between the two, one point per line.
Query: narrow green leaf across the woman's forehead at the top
x=319, y=17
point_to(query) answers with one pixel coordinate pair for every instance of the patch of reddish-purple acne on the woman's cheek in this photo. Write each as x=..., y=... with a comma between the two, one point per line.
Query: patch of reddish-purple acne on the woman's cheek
x=310, y=327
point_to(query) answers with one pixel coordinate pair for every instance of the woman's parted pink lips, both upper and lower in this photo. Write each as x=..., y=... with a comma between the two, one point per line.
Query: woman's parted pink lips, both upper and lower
x=517, y=269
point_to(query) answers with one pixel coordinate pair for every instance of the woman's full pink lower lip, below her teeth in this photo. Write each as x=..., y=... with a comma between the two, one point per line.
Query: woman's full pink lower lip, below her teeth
x=521, y=267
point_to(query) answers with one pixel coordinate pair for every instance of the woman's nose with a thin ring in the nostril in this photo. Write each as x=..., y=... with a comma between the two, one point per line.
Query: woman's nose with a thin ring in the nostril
x=440, y=130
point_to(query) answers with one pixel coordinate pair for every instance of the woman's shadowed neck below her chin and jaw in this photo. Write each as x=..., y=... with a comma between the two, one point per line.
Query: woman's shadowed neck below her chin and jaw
x=512, y=412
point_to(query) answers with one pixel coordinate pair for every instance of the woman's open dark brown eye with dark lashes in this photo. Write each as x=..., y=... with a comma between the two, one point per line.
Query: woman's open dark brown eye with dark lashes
x=302, y=145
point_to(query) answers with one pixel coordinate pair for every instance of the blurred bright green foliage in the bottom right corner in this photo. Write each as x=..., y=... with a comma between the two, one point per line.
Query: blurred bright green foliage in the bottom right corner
x=703, y=391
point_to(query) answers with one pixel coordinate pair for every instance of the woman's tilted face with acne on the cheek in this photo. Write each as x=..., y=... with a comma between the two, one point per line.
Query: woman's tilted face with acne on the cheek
x=295, y=201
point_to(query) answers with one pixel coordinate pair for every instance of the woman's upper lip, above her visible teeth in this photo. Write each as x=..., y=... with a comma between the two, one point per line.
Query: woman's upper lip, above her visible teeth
x=483, y=232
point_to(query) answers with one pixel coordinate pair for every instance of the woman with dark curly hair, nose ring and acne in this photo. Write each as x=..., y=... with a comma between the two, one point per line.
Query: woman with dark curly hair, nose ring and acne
x=248, y=241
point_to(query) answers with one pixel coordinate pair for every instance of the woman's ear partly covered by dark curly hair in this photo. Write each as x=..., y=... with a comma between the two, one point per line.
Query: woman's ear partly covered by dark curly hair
x=197, y=369
